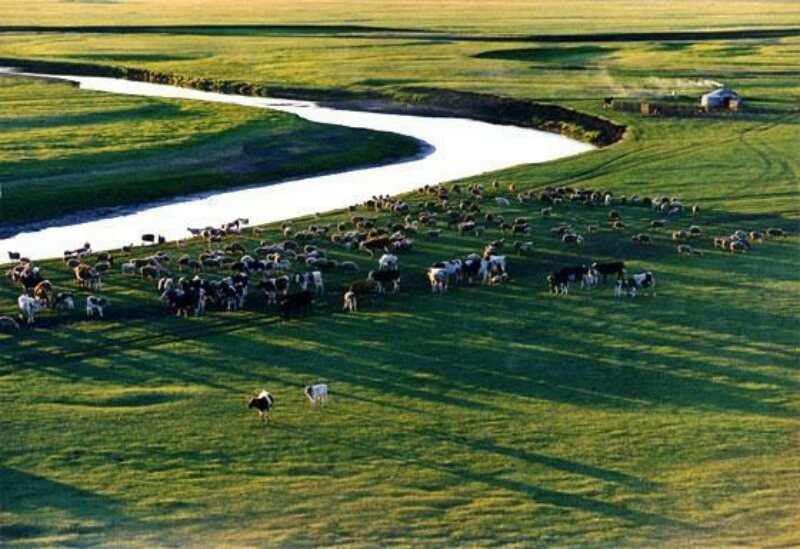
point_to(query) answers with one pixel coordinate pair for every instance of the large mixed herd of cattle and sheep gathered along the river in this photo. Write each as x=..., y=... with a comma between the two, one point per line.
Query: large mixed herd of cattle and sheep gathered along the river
x=290, y=273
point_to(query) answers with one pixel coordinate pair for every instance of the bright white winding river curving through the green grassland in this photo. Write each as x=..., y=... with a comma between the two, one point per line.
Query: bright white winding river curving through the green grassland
x=458, y=148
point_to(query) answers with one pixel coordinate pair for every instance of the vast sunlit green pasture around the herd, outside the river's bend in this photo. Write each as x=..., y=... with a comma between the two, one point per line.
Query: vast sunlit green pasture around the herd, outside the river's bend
x=485, y=416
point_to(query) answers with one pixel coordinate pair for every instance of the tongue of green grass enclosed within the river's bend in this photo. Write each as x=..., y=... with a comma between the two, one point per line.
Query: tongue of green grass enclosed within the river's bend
x=64, y=150
